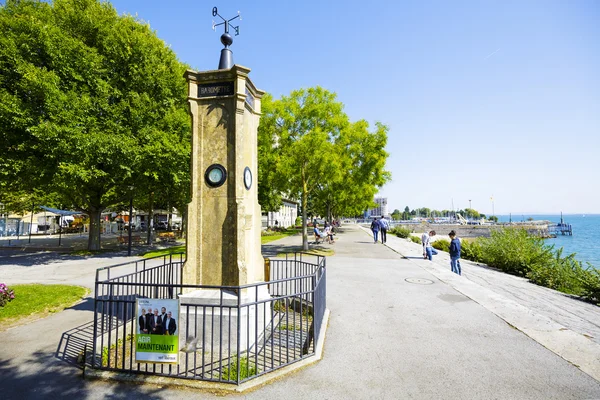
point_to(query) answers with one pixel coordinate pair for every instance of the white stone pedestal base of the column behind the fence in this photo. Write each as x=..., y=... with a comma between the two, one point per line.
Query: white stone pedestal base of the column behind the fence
x=213, y=316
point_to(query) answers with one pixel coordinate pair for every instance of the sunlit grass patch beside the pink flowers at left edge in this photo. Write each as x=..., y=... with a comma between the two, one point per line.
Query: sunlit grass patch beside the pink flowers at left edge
x=34, y=301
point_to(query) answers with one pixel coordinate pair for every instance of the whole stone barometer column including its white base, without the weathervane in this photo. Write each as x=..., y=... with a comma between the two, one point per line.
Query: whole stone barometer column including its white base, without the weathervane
x=224, y=217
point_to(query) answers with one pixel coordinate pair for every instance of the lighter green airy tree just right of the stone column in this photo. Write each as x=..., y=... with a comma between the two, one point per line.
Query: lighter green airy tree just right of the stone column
x=332, y=165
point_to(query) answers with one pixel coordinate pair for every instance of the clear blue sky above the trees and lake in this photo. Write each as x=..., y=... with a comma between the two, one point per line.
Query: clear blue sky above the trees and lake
x=482, y=98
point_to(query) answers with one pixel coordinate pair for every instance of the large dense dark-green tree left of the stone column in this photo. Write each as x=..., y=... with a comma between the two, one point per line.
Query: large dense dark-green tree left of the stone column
x=91, y=103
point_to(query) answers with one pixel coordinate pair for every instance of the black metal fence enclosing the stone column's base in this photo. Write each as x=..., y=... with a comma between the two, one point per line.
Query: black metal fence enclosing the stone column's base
x=234, y=334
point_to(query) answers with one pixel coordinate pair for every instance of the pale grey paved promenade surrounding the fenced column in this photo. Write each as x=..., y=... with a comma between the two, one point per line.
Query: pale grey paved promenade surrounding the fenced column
x=400, y=328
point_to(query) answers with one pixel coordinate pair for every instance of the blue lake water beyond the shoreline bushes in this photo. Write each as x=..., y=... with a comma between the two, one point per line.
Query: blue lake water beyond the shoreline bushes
x=585, y=241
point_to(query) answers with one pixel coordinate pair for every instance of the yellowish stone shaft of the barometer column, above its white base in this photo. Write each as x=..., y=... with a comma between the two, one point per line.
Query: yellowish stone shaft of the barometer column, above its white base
x=223, y=237
